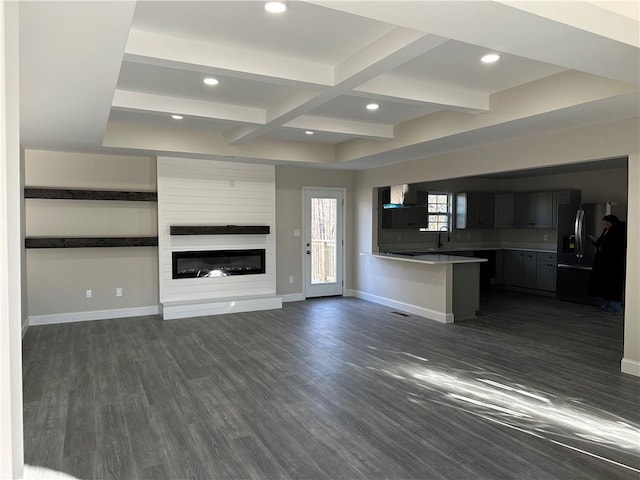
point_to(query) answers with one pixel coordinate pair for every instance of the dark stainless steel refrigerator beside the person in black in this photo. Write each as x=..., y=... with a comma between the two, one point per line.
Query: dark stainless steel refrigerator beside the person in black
x=575, y=251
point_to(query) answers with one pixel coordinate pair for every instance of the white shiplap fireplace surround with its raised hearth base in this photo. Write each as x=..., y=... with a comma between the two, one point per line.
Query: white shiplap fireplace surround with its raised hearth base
x=204, y=192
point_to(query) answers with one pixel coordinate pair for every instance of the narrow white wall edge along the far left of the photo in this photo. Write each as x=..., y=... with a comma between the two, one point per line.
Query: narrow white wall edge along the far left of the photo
x=11, y=443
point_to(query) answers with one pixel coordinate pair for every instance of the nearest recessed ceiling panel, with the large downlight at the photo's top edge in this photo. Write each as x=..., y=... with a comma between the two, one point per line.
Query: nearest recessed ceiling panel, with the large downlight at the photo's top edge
x=306, y=32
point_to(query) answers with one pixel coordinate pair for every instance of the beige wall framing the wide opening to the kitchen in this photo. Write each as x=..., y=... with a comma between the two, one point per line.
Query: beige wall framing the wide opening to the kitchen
x=611, y=140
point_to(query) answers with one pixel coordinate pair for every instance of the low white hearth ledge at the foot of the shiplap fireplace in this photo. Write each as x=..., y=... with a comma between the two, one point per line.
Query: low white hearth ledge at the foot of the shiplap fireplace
x=218, y=306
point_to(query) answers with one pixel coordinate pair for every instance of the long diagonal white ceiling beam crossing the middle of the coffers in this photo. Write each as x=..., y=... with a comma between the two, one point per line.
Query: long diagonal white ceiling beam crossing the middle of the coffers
x=393, y=49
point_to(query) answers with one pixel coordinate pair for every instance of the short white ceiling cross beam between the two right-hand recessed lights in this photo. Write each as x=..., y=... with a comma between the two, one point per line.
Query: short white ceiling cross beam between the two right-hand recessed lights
x=421, y=92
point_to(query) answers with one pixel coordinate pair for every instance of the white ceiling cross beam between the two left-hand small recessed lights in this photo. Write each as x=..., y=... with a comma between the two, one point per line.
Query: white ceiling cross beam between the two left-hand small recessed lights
x=184, y=106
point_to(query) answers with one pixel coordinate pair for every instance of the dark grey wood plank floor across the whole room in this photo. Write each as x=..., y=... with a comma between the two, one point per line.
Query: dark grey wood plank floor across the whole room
x=336, y=388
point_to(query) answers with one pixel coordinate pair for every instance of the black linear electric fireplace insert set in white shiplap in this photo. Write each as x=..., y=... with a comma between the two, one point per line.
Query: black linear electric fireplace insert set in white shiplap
x=218, y=263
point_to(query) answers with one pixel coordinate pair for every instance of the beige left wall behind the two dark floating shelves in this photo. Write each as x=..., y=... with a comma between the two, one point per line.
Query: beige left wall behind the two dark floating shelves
x=54, y=296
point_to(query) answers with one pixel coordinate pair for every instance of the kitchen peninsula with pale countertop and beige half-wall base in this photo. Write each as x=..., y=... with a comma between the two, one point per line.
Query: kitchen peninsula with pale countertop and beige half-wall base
x=440, y=287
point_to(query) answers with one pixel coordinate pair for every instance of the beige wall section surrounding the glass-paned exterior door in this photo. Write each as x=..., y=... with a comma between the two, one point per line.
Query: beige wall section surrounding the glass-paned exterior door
x=289, y=183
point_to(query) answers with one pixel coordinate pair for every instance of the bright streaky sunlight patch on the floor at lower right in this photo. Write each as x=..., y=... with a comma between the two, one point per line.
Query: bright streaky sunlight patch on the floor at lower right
x=564, y=421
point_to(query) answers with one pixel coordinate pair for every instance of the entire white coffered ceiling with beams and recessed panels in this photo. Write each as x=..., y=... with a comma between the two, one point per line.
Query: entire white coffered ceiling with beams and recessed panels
x=108, y=76
